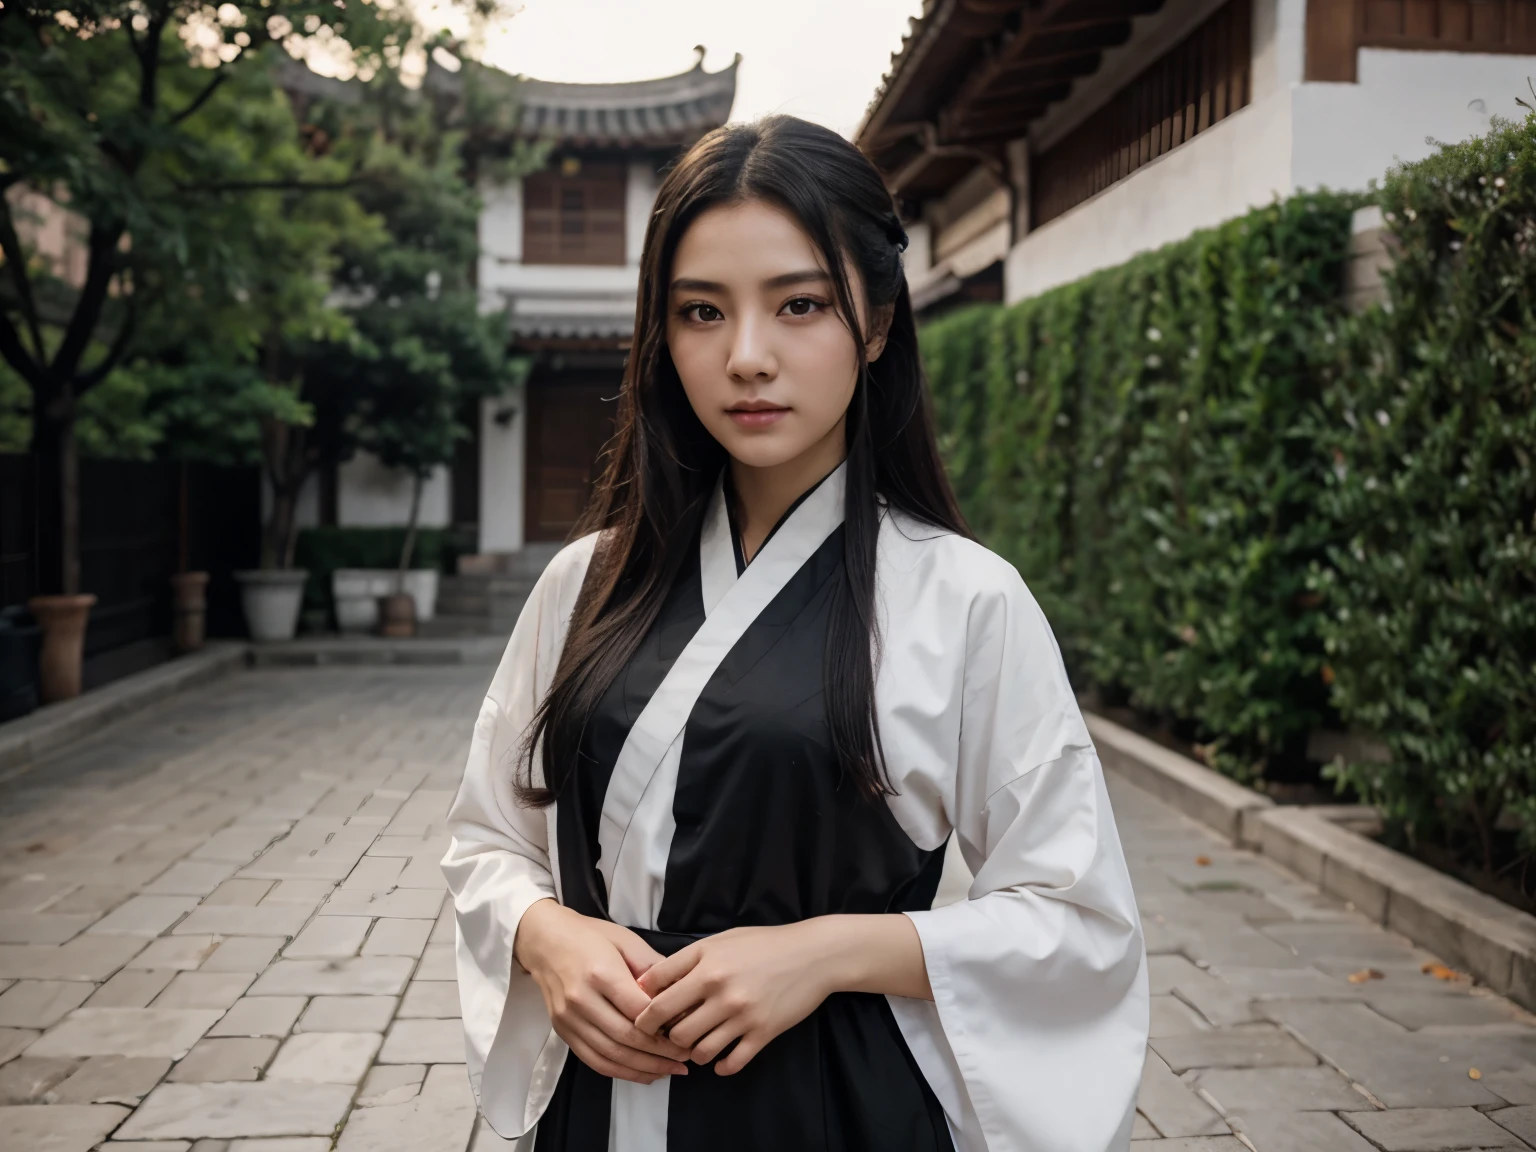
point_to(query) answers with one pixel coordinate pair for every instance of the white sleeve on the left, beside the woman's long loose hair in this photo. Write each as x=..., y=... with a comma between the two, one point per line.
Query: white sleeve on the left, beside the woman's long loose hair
x=498, y=864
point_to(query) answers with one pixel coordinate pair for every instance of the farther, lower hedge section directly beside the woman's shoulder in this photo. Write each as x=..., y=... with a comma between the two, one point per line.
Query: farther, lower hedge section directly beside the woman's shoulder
x=1140, y=445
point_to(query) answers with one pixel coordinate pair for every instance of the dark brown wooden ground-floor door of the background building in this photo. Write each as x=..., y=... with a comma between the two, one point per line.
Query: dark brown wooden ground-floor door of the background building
x=571, y=419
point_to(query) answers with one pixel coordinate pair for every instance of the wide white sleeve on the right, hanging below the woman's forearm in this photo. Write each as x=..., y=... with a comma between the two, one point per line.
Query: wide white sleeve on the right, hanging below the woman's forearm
x=1039, y=976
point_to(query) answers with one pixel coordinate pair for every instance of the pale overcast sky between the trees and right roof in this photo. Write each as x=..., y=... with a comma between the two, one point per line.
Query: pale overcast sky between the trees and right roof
x=815, y=59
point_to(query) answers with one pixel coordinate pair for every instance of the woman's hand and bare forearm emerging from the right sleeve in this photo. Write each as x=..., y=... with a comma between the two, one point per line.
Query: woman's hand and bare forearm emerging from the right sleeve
x=753, y=984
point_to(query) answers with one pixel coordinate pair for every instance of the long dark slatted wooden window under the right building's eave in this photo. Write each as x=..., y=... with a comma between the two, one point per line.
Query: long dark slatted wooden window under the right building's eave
x=1194, y=85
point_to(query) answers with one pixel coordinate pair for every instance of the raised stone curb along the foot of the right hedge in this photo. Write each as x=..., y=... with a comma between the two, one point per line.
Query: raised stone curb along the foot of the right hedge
x=1465, y=927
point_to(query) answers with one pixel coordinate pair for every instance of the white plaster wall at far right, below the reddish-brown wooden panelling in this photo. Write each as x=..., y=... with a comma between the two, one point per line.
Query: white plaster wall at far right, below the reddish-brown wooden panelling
x=1348, y=136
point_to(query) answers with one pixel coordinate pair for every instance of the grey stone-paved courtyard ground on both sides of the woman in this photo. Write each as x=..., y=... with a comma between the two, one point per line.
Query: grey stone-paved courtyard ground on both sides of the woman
x=223, y=930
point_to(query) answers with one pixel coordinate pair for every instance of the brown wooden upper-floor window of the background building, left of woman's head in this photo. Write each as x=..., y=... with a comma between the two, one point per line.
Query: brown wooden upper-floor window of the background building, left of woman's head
x=575, y=219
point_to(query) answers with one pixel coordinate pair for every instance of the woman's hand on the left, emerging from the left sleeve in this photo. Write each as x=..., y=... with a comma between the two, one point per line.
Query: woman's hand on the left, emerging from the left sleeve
x=588, y=972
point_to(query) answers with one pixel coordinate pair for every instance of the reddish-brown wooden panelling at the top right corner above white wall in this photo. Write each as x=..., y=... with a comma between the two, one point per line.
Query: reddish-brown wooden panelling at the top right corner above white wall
x=1337, y=30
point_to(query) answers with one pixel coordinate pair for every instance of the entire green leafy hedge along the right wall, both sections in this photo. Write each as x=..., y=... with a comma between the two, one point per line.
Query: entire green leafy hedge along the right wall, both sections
x=1253, y=515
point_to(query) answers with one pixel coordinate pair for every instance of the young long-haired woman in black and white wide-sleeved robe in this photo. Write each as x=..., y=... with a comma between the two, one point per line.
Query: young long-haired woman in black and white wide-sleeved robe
x=709, y=796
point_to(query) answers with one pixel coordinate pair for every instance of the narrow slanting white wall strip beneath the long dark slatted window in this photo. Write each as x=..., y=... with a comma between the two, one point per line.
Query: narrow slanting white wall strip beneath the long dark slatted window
x=1240, y=164
